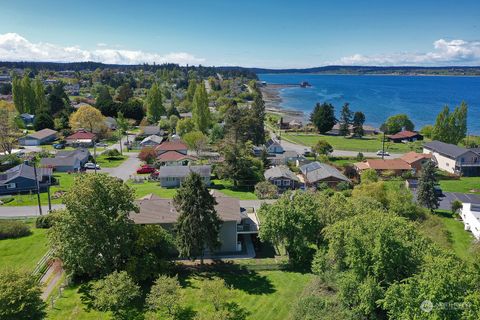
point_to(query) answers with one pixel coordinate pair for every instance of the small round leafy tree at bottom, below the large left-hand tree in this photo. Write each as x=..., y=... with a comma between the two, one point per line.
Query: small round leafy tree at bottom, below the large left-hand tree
x=115, y=293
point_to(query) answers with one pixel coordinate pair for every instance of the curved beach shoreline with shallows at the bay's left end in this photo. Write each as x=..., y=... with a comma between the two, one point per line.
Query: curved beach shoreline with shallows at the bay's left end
x=273, y=100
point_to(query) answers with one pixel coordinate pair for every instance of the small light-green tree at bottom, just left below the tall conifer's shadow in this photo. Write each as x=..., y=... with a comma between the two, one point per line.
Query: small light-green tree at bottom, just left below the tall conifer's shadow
x=165, y=296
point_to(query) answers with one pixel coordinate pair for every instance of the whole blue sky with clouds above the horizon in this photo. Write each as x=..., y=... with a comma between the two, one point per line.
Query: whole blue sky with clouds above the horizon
x=258, y=33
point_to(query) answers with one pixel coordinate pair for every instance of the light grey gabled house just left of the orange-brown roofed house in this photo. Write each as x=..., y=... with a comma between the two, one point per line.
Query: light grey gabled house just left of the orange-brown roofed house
x=315, y=173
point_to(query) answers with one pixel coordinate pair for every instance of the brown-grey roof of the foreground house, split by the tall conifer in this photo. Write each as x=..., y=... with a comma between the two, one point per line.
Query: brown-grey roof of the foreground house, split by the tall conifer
x=154, y=210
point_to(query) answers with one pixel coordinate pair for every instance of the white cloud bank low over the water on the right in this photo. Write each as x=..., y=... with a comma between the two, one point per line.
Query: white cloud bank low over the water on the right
x=454, y=52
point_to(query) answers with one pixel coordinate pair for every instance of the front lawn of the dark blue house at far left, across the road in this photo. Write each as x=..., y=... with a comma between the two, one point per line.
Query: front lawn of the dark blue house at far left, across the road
x=65, y=182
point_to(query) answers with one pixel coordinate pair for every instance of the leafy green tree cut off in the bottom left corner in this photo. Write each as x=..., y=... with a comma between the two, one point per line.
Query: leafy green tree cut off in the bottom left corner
x=20, y=297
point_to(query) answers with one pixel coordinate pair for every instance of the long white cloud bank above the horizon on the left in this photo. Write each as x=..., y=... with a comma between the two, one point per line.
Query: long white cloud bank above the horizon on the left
x=14, y=47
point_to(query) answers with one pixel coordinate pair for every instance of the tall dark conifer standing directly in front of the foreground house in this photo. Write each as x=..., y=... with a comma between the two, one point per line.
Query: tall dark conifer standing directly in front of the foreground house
x=198, y=224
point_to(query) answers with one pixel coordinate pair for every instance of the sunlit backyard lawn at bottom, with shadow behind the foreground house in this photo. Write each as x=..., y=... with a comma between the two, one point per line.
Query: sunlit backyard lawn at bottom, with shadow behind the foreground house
x=265, y=294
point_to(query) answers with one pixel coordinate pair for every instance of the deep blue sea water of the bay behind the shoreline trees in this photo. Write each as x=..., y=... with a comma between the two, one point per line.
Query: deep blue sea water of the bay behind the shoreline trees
x=420, y=97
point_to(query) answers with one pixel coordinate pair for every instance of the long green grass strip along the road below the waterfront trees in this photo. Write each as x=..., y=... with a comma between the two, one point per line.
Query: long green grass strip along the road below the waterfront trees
x=365, y=144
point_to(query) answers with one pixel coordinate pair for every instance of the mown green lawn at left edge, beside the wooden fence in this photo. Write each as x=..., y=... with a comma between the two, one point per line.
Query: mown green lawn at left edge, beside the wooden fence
x=24, y=253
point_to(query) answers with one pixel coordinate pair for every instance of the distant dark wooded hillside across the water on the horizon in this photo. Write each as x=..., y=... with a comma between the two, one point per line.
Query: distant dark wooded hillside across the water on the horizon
x=365, y=70
